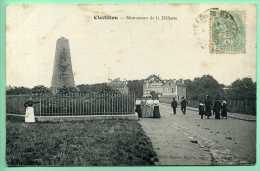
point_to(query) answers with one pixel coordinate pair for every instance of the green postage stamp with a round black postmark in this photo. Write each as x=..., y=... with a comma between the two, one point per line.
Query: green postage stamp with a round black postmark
x=227, y=31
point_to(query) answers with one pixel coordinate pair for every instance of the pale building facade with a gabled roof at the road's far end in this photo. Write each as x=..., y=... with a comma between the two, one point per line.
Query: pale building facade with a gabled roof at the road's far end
x=170, y=88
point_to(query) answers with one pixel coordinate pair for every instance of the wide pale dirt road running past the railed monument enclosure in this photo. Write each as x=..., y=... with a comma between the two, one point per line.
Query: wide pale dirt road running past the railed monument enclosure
x=187, y=140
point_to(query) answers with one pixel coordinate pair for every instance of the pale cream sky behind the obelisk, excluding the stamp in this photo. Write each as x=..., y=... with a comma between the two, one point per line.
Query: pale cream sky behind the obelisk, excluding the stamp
x=129, y=49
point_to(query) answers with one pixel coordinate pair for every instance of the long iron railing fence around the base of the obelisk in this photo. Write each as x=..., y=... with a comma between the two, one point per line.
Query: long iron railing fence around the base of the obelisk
x=73, y=104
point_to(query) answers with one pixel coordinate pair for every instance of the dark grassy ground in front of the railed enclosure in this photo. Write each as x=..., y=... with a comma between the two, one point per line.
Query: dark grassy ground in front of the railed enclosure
x=78, y=143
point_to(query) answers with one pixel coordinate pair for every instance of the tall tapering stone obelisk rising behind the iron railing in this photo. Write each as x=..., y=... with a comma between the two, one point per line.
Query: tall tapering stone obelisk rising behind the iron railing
x=62, y=70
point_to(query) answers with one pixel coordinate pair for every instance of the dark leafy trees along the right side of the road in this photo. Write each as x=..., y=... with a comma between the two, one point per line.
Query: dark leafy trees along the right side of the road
x=240, y=89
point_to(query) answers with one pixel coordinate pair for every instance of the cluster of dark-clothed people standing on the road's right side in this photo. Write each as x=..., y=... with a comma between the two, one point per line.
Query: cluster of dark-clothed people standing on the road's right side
x=219, y=108
